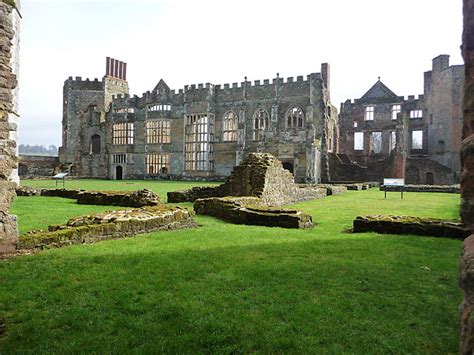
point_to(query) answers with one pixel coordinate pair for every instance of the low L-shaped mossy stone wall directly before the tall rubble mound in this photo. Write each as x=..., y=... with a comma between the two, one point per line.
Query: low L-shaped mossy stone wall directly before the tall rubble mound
x=251, y=211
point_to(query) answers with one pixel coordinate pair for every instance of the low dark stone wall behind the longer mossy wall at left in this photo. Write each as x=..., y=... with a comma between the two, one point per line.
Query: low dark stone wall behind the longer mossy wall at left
x=136, y=199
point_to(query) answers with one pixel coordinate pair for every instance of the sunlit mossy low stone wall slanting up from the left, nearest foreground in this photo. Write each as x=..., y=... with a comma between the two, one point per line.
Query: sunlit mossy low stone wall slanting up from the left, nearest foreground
x=108, y=225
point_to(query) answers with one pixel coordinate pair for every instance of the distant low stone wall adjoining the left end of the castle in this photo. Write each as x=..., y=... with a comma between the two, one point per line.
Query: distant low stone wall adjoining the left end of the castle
x=33, y=166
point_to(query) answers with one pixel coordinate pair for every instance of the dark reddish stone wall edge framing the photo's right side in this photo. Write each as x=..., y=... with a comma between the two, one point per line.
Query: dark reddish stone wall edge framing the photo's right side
x=467, y=183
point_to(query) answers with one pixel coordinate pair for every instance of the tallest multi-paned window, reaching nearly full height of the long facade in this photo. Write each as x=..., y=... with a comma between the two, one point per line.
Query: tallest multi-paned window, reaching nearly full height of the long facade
x=199, y=142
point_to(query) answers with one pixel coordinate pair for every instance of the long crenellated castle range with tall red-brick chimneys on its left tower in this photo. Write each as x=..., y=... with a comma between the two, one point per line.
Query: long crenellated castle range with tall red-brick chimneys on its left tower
x=200, y=132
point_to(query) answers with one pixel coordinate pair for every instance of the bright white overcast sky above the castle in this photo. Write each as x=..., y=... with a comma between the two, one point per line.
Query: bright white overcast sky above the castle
x=222, y=41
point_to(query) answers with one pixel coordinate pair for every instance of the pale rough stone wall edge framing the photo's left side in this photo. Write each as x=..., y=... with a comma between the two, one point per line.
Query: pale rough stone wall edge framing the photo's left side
x=8, y=128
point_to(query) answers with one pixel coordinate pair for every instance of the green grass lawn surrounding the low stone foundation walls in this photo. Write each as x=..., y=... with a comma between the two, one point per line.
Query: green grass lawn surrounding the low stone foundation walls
x=228, y=288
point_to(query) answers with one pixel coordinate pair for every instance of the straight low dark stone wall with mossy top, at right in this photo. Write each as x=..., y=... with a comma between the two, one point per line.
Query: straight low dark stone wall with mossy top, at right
x=410, y=225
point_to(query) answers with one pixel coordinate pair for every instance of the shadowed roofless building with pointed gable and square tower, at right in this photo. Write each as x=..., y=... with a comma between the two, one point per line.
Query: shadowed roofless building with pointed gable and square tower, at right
x=386, y=135
